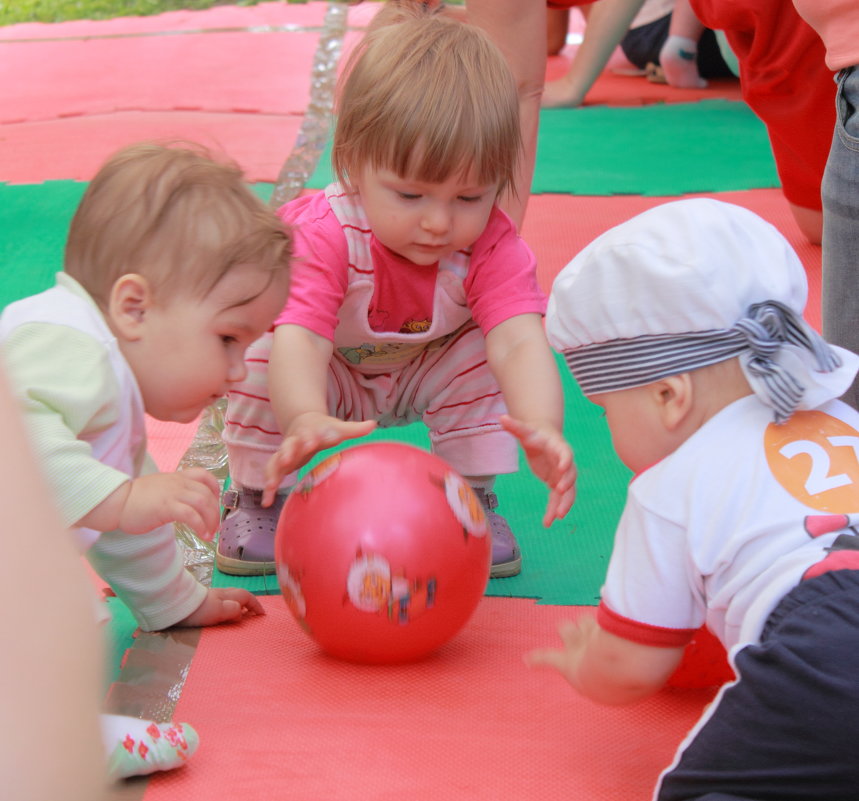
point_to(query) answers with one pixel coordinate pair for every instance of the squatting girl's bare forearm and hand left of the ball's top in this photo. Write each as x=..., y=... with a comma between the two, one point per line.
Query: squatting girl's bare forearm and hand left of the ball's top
x=298, y=383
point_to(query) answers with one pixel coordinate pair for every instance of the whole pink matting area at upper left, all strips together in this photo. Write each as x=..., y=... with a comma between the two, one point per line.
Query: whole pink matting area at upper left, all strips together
x=235, y=79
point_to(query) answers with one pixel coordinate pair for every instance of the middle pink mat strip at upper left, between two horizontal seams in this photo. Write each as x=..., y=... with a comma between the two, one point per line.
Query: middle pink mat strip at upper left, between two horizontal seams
x=226, y=72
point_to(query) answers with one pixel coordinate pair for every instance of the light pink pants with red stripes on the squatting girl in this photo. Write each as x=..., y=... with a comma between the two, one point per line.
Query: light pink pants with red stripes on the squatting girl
x=449, y=387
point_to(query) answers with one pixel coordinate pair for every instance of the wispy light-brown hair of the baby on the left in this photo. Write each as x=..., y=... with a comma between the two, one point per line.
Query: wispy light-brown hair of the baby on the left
x=175, y=215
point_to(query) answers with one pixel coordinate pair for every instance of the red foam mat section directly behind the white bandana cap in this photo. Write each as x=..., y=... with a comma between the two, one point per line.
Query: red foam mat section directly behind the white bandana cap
x=559, y=226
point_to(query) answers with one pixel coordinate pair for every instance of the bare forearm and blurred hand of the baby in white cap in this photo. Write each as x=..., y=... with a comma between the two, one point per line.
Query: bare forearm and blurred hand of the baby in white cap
x=604, y=667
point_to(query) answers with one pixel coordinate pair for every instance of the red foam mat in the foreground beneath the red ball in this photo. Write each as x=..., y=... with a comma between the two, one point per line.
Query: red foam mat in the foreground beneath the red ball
x=279, y=720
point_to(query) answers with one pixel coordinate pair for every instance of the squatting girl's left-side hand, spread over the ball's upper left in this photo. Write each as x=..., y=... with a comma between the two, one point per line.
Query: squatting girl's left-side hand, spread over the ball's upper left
x=308, y=434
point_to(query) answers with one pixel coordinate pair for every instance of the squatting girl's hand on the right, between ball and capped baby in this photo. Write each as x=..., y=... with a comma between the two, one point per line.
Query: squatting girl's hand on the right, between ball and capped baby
x=551, y=459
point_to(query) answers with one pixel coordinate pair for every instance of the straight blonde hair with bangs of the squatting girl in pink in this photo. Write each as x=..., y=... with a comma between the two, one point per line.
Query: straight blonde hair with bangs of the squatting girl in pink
x=427, y=97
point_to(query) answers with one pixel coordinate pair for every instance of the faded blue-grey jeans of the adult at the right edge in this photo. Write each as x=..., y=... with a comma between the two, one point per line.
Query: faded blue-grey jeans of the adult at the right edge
x=840, y=192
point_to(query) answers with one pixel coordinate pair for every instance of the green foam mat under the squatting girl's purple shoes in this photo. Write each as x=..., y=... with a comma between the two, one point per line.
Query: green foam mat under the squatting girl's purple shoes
x=564, y=564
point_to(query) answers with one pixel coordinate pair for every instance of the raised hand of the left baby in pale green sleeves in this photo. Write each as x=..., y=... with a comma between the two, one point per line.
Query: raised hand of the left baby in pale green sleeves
x=187, y=496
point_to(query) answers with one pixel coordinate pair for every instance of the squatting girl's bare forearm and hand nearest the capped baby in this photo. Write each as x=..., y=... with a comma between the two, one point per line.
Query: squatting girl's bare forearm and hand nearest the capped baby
x=523, y=365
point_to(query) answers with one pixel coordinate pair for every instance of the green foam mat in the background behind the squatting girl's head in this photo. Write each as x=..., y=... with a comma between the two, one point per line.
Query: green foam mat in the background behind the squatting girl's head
x=608, y=150
